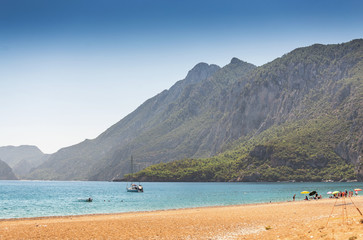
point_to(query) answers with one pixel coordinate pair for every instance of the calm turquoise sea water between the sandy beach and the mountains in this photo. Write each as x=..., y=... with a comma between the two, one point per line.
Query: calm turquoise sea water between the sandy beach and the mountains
x=20, y=199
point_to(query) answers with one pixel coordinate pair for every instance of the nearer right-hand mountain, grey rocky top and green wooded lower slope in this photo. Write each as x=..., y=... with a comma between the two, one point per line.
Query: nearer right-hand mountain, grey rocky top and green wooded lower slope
x=299, y=117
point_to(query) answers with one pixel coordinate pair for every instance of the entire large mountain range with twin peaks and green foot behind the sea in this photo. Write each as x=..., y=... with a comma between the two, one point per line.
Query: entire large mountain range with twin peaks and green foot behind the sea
x=298, y=117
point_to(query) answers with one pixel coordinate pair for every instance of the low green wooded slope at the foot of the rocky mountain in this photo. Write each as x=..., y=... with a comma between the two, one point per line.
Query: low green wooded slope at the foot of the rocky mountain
x=300, y=151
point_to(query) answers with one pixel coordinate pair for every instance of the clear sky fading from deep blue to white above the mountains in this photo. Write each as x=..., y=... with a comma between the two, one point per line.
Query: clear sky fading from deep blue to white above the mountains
x=69, y=69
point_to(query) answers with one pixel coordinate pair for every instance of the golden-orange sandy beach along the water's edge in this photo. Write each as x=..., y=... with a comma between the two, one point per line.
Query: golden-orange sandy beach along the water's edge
x=314, y=219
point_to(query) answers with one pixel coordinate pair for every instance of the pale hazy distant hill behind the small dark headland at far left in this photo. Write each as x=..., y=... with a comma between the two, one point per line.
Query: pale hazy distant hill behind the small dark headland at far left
x=22, y=158
